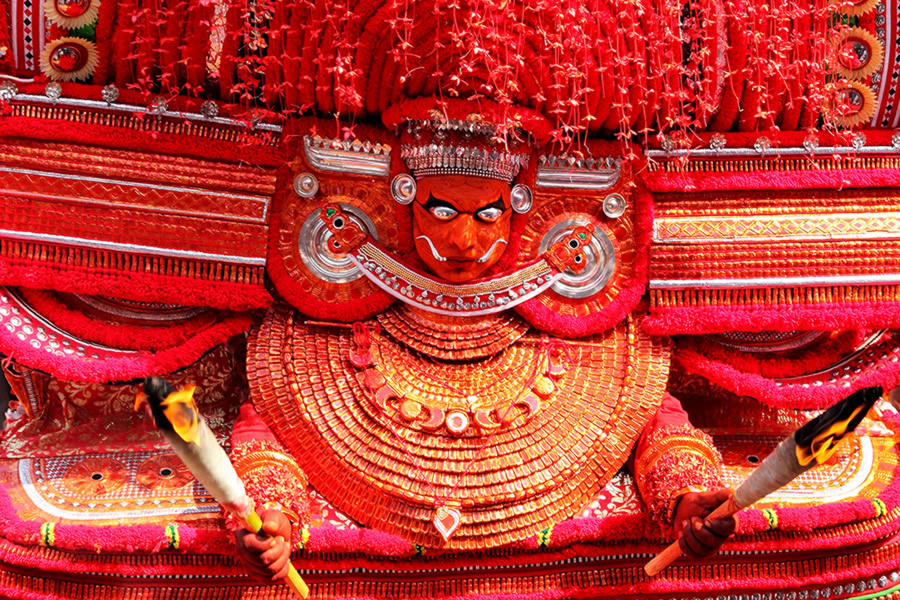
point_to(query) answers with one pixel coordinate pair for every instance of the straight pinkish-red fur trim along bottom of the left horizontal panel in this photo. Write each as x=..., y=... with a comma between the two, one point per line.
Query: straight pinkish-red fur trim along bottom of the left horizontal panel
x=134, y=286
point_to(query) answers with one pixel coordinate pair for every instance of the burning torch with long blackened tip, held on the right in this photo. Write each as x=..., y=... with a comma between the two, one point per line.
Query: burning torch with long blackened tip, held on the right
x=812, y=444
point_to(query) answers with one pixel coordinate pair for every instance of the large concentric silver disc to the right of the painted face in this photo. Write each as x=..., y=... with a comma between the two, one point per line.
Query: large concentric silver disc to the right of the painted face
x=600, y=255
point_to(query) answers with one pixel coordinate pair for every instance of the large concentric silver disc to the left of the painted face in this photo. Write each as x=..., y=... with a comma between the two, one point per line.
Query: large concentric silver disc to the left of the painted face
x=315, y=247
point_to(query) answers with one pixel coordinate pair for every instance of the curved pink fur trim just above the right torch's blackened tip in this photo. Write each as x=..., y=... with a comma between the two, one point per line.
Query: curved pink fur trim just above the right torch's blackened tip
x=886, y=375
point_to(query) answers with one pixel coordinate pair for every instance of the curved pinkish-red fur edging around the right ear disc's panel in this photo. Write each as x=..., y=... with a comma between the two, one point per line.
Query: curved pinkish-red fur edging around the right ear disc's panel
x=546, y=319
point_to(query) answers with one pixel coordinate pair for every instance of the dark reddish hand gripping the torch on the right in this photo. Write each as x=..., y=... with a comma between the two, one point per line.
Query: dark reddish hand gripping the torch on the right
x=701, y=536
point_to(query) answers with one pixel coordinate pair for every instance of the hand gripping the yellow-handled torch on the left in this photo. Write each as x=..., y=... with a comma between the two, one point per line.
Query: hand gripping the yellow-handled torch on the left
x=265, y=557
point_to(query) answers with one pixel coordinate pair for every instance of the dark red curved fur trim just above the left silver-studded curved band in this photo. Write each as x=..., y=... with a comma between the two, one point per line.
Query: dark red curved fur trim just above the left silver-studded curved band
x=128, y=335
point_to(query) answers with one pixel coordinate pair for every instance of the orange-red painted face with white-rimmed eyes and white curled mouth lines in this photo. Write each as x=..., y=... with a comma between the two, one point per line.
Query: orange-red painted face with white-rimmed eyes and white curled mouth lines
x=461, y=224
